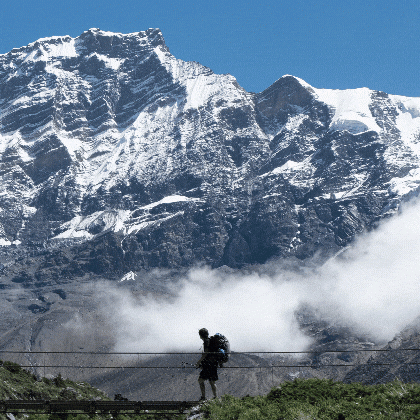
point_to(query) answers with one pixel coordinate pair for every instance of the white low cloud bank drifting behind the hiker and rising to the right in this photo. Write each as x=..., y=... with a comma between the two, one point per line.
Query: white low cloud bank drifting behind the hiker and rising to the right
x=374, y=288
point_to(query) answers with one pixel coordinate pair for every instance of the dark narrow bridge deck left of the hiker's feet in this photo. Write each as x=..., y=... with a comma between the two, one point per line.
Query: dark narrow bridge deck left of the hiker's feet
x=86, y=406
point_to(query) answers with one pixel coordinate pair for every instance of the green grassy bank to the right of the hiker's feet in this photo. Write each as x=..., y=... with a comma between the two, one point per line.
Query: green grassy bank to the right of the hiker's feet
x=313, y=399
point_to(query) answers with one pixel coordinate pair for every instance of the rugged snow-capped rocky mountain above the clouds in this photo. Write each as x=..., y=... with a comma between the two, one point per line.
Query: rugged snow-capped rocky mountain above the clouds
x=119, y=157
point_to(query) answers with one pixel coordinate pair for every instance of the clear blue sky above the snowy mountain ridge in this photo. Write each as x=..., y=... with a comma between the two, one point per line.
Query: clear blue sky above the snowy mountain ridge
x=329, y=44
